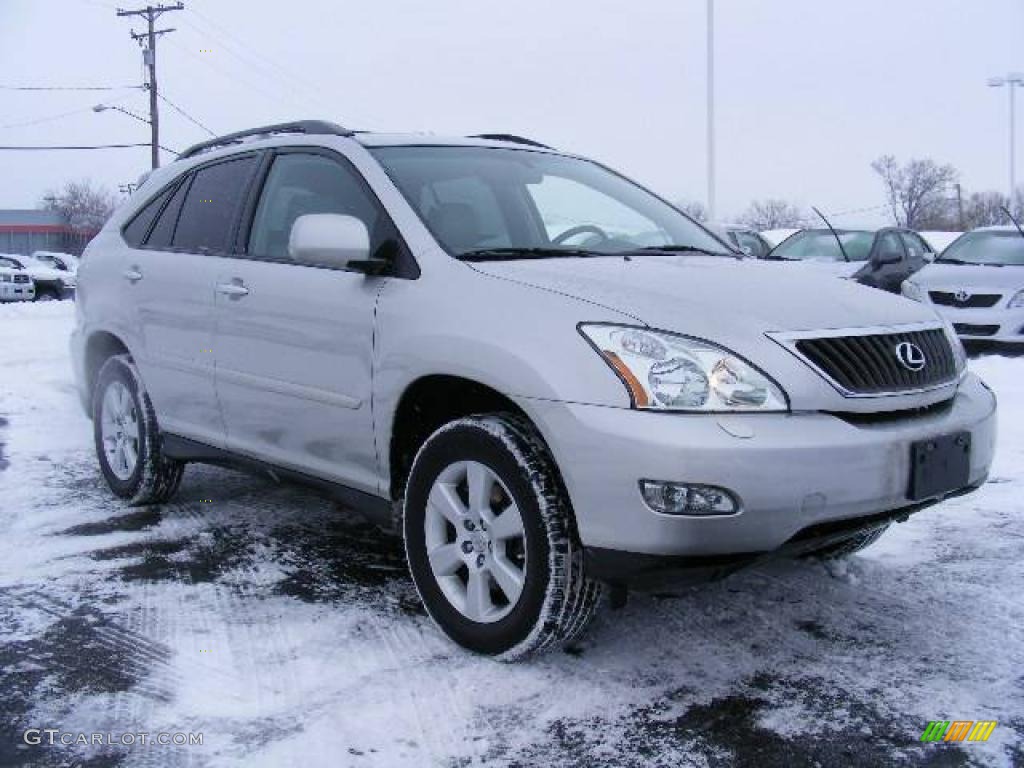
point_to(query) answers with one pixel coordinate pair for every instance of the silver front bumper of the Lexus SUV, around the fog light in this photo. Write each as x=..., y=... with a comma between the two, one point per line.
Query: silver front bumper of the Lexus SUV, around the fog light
x=790, y=472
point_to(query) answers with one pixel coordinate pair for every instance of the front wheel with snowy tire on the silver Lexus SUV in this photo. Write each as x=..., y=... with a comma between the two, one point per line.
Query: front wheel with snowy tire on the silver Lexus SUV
x=558, y=601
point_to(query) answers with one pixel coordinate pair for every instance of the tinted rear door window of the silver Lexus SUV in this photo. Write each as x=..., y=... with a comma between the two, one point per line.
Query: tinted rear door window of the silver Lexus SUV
x=209, y=212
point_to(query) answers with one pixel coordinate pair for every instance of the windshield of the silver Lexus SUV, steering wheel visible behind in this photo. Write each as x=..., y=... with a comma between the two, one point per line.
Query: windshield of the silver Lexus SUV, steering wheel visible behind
x=517, y=203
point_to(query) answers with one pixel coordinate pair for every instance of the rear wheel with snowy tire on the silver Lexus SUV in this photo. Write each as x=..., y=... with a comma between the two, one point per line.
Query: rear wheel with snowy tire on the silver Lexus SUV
x=152, y=479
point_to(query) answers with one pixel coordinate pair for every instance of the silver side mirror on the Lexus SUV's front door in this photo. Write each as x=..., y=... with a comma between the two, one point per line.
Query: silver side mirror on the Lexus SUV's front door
x=332, y=240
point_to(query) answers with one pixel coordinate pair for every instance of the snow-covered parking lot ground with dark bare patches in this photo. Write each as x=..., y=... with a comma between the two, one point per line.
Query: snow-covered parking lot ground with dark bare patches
x=289, y=634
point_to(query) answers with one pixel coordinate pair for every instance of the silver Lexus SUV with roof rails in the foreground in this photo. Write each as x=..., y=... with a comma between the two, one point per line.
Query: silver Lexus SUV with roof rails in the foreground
x=549, y=379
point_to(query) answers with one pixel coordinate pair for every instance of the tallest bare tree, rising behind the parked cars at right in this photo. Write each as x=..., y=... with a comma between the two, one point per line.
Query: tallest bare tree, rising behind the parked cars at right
x=917, y=191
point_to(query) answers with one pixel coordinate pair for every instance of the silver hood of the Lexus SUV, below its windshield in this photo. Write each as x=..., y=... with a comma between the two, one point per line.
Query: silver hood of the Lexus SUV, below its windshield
x=714, y=297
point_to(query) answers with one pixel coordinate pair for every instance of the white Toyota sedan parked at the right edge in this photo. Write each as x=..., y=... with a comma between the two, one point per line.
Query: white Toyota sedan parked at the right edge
x=978, y=285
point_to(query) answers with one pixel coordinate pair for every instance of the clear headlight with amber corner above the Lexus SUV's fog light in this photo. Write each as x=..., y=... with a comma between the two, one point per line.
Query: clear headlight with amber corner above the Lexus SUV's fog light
x=666, y=372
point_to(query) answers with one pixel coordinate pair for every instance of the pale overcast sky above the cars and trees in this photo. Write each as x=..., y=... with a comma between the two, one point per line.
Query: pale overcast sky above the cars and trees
x=808, y=93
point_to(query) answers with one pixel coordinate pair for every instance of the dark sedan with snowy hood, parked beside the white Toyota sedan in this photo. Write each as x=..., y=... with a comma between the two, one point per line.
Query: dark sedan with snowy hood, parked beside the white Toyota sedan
x=880, y=259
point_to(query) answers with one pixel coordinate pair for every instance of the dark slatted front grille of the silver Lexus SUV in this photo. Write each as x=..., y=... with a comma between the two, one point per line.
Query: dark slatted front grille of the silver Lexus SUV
x=869, y=365
